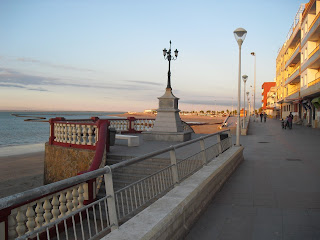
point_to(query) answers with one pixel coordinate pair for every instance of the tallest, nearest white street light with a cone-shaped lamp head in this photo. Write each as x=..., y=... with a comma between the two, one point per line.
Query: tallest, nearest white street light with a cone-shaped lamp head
x=240, y=35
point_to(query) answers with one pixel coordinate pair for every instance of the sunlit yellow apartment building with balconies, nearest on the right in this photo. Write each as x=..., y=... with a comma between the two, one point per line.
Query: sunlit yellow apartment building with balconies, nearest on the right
x=298, y=67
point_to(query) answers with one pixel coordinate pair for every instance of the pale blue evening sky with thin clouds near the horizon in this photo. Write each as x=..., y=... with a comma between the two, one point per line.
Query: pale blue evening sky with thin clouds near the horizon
x=107, y=55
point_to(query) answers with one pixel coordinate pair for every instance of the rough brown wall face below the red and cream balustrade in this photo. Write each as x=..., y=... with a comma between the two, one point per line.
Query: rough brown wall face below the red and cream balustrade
x=62, y=162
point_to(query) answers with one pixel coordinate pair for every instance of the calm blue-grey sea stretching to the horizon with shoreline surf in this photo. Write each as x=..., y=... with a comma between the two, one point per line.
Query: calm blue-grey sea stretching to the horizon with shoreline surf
x=18, y=136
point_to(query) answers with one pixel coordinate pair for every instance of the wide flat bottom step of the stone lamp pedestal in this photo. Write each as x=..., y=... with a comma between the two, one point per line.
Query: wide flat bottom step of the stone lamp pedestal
x=167, y=136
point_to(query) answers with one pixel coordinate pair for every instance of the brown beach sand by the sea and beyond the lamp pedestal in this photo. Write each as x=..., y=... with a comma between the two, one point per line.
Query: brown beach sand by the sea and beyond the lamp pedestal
x=22, y=172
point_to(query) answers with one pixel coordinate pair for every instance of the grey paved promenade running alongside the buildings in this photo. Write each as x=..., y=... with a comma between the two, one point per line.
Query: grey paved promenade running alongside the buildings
x=275, y=192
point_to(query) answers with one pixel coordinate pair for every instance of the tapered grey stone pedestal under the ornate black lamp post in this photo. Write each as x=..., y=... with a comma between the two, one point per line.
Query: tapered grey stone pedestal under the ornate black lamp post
x=168, y=125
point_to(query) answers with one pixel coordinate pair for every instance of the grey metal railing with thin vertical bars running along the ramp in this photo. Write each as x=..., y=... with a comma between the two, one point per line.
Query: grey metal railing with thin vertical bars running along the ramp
x=57, y=211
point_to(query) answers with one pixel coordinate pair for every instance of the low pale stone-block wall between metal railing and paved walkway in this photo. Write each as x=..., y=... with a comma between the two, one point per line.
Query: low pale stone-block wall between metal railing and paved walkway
x=172, y=215
